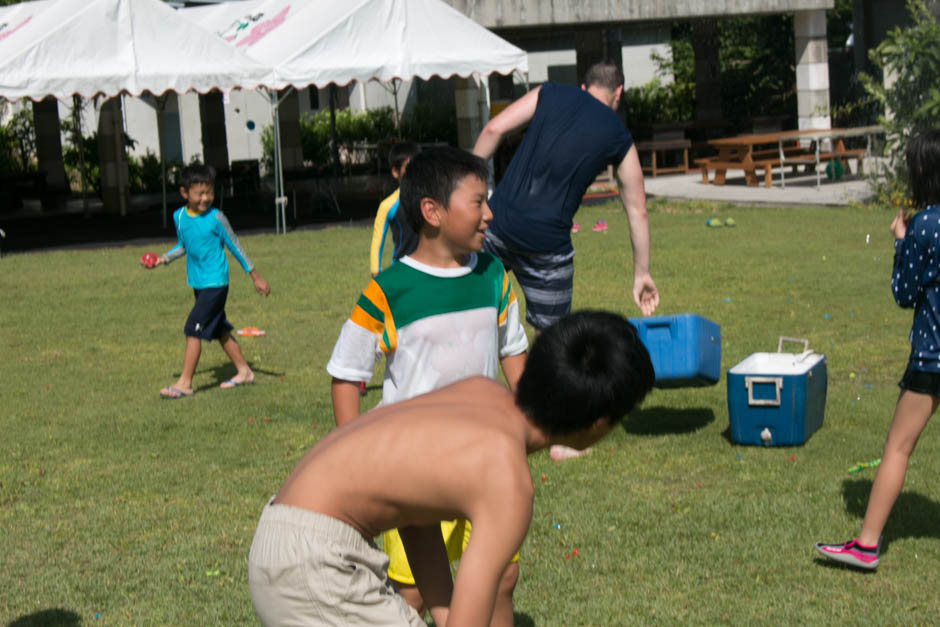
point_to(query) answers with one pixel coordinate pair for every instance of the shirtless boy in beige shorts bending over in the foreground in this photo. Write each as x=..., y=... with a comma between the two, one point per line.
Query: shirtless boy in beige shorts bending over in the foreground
x=312, y=560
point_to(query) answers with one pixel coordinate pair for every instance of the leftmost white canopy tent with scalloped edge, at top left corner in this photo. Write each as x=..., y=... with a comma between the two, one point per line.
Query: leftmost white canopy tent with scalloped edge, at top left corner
x=88, y=48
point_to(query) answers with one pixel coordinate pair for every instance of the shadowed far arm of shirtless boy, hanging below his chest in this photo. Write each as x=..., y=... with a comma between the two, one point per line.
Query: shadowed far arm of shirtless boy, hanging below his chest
x=427, y=557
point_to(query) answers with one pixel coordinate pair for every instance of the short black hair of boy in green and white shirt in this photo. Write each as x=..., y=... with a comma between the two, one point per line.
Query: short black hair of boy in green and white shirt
x=435, y=174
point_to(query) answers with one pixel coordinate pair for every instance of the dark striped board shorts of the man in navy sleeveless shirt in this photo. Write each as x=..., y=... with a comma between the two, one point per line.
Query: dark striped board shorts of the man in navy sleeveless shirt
x=546, y=280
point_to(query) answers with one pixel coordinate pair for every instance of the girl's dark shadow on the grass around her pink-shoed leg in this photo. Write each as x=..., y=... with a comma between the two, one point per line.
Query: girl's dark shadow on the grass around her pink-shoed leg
x=913, y=515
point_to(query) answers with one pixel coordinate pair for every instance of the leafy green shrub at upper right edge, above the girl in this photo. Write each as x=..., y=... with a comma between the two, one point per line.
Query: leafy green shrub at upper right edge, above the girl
x=908, y=58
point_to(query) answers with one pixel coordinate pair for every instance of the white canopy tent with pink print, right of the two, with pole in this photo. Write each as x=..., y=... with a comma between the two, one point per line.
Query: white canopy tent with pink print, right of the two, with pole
x=318, y=42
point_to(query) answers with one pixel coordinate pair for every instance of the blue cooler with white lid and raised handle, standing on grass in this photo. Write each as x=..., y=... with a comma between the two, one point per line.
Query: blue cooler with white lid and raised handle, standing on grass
x=777, y=399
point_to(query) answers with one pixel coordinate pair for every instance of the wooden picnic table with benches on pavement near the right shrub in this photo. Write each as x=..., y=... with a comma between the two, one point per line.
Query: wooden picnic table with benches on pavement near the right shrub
x=764, y=151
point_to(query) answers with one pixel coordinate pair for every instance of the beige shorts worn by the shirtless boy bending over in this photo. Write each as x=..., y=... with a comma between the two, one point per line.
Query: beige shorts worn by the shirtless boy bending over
x=309, y=569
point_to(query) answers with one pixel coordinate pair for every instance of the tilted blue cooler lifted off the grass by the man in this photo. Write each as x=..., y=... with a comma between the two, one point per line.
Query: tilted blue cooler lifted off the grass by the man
x=685, y=349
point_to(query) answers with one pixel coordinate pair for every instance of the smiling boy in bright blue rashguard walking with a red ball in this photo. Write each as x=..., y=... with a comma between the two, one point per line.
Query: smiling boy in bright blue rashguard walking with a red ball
x=203, y=233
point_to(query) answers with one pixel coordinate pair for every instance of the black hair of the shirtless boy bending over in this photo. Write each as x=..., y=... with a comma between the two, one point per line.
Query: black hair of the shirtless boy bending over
x=588, y=365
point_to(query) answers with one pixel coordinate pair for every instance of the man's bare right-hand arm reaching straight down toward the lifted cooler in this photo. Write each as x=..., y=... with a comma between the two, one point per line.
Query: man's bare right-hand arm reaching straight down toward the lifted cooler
x=633, y=197
